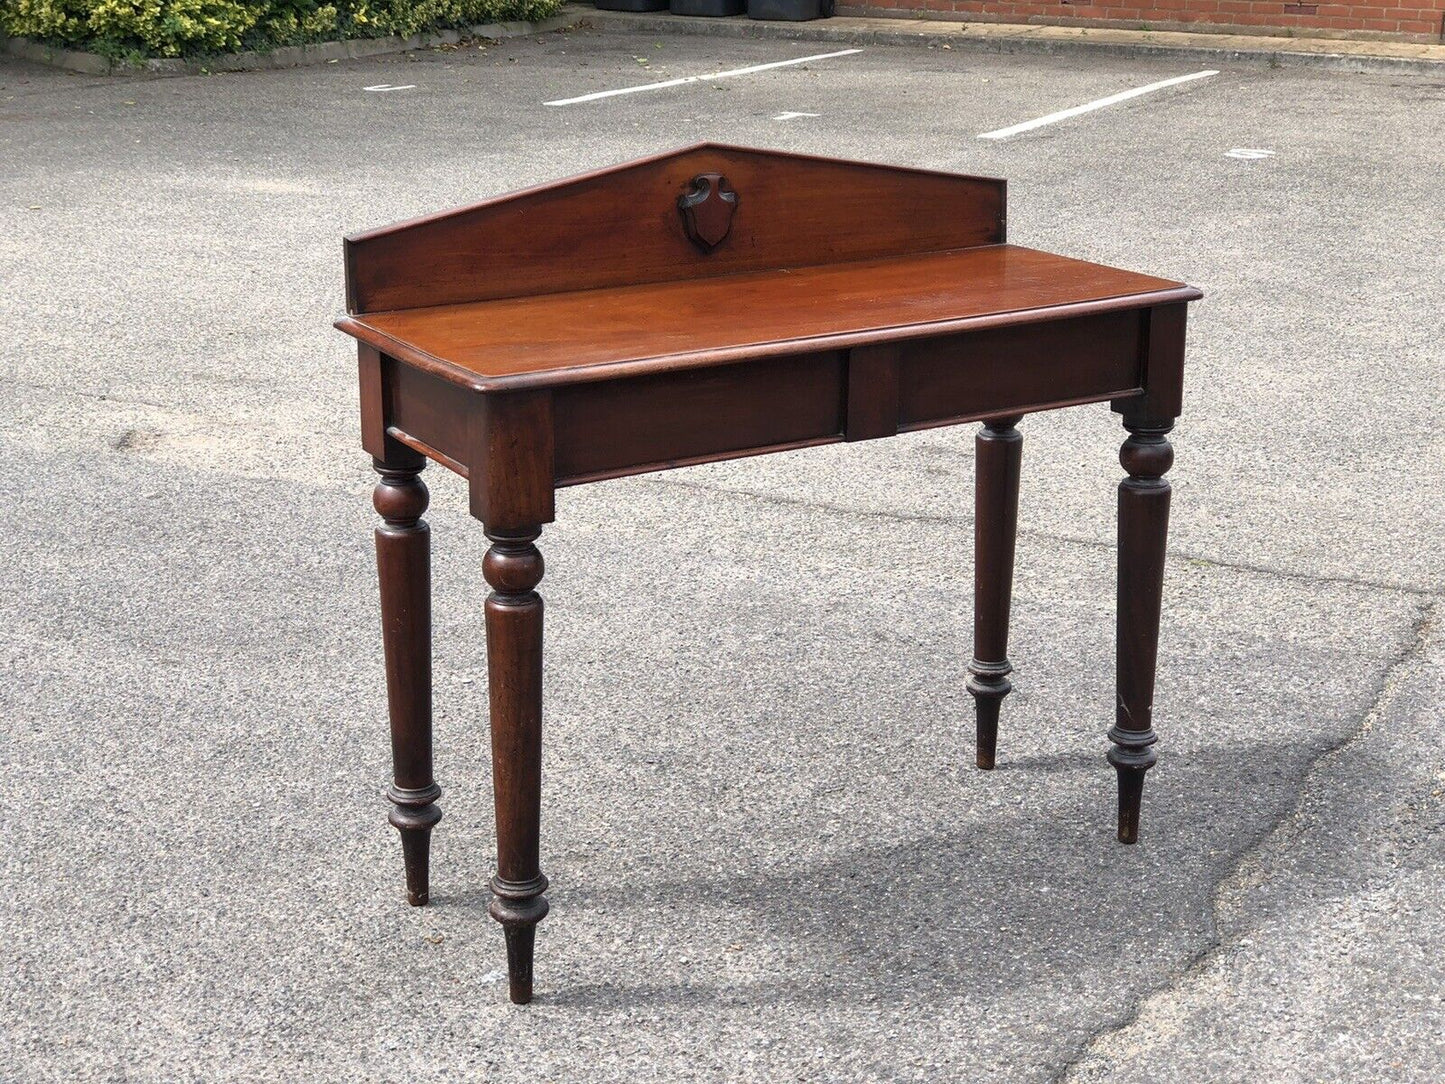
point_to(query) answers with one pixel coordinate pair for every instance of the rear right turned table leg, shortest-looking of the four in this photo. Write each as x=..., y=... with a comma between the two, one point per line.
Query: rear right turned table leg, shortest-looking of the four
x=996, y=520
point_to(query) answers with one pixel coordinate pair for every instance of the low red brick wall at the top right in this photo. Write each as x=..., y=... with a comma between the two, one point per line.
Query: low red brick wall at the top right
x=1418, y=21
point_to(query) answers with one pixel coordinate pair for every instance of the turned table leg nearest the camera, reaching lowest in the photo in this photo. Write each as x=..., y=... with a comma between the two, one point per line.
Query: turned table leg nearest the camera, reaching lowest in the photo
x=514, y=567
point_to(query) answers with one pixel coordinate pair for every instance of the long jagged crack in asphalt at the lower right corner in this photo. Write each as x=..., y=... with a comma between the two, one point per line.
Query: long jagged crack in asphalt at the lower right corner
x=1251, y=862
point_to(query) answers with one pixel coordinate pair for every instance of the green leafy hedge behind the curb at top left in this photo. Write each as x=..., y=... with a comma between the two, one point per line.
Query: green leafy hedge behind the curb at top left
x=196, y=28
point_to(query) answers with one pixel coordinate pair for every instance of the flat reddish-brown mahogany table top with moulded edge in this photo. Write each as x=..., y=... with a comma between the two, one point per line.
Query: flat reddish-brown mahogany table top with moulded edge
x=618, y=332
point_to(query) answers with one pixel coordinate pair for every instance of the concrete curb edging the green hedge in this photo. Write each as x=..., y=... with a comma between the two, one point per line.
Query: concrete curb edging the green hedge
x=285, y=57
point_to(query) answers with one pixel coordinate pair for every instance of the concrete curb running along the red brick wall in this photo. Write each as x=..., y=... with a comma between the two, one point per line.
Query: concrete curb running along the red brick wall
x=1209, y=48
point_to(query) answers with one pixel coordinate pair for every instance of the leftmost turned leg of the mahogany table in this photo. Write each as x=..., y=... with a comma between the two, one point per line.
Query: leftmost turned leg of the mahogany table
x=404, y=569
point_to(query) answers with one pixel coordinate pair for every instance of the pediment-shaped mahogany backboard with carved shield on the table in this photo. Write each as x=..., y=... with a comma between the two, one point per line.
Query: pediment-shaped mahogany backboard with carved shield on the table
x=634, y=225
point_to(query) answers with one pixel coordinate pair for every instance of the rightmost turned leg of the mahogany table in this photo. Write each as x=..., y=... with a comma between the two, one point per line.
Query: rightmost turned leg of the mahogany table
x=1144, y=527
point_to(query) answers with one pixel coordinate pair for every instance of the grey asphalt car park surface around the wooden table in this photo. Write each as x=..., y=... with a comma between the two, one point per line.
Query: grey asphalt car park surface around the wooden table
x=771, y=856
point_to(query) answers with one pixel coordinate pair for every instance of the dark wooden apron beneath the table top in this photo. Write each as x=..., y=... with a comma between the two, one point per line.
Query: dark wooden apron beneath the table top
x=612, y=429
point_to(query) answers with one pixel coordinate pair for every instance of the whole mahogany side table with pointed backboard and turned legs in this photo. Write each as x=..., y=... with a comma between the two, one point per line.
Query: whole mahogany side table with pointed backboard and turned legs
x=710, y=304
